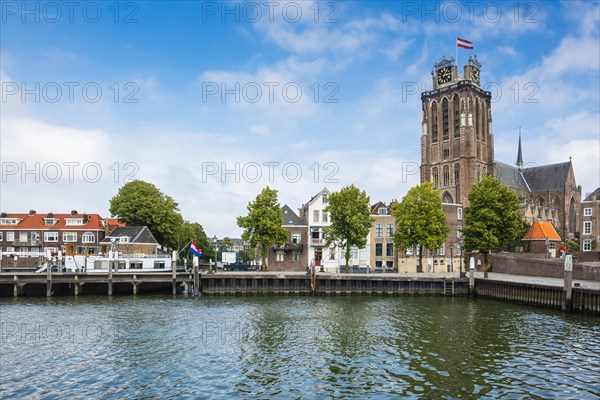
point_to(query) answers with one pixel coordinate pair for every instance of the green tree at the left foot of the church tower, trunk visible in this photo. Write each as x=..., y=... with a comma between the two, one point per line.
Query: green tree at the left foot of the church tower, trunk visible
x=421, y=220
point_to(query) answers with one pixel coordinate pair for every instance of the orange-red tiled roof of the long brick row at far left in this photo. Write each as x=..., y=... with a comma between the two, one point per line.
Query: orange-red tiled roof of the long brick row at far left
x=36, y=221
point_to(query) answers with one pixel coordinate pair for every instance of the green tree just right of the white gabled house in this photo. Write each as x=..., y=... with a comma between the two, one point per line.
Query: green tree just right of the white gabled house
x=351, y=220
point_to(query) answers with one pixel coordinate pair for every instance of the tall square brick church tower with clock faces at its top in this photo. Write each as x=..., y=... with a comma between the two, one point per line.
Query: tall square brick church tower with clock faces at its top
x=457, y=144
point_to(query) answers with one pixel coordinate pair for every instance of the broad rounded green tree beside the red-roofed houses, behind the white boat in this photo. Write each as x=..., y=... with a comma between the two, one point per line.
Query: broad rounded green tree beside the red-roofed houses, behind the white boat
x=140, y=203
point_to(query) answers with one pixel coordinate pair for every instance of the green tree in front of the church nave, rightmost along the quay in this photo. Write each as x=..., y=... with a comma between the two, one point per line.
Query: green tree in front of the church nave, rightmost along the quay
x=492, y=220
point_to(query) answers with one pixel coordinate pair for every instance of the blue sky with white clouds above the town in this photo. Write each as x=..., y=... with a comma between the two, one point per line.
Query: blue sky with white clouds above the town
x=211, y=101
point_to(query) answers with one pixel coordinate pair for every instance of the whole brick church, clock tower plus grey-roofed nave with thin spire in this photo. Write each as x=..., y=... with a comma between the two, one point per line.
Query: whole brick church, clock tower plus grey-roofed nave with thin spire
x=457, y=151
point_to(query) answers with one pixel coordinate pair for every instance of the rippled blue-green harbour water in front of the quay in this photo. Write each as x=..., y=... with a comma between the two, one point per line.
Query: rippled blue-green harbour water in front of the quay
x=293, y=348
